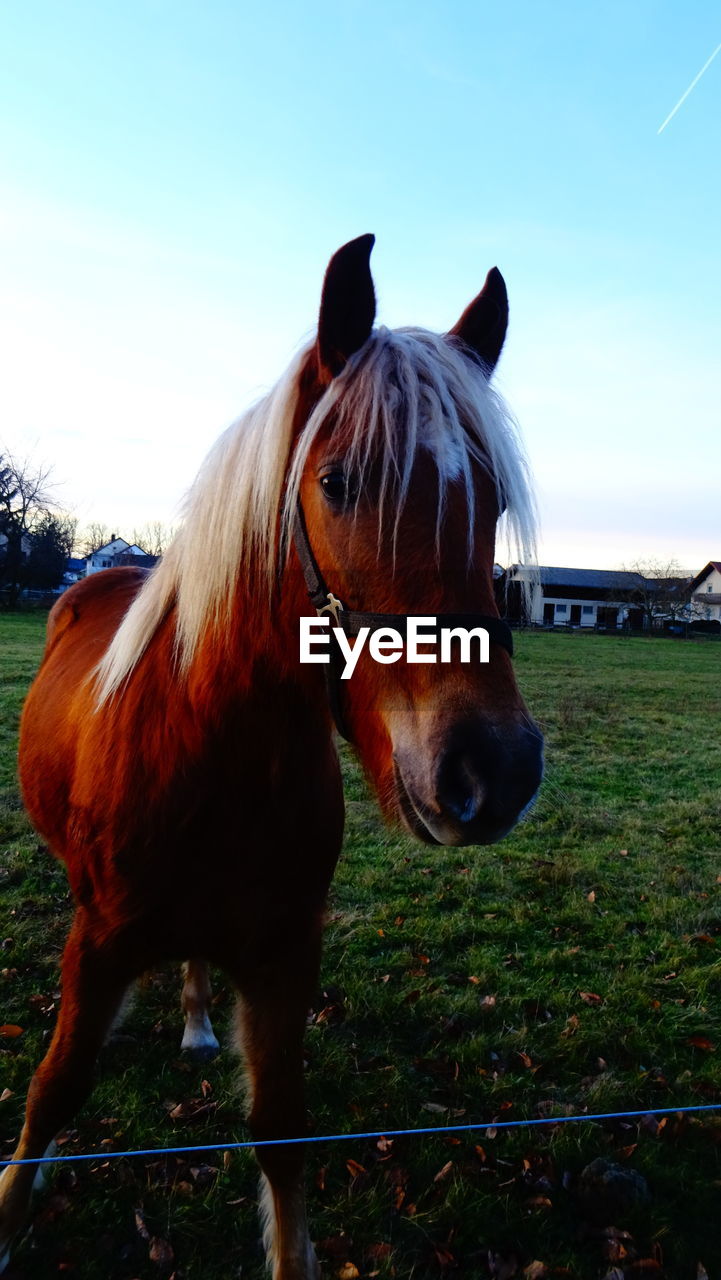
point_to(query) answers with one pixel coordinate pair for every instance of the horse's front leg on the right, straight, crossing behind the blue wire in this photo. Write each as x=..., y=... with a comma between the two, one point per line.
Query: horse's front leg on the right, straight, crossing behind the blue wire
x=272, y=1022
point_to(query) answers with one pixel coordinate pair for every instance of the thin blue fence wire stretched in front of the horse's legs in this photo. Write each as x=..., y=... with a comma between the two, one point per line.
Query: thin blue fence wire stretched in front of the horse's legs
x=357, y=1137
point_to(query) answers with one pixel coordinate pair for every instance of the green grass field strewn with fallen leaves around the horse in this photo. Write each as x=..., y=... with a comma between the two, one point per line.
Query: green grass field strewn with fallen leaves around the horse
x=573, y=970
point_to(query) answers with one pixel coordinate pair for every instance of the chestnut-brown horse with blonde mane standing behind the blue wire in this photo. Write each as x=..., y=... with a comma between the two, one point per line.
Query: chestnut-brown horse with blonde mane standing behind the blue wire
x=180, y=758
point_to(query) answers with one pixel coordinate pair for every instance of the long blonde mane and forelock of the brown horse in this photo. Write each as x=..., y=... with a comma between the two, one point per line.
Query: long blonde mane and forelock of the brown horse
x=404, y=391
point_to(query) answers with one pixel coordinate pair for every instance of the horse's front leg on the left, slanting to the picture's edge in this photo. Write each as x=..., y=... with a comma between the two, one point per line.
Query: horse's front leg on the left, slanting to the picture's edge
x=94, y=984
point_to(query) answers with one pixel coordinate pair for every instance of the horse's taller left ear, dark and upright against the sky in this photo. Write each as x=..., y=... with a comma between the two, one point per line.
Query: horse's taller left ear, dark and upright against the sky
x=348, y=305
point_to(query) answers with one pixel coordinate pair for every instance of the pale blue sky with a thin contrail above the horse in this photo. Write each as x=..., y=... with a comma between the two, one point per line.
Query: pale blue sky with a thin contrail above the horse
x=176, y=176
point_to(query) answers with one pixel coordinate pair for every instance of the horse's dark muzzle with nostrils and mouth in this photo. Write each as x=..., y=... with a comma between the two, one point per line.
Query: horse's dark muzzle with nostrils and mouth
x=474, y=790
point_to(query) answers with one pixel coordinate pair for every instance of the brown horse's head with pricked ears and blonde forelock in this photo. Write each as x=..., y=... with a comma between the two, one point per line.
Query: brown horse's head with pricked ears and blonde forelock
x=403, y=469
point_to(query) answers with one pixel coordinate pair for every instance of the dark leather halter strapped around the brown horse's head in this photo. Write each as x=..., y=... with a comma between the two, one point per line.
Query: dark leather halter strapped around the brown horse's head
x=352, y=621
